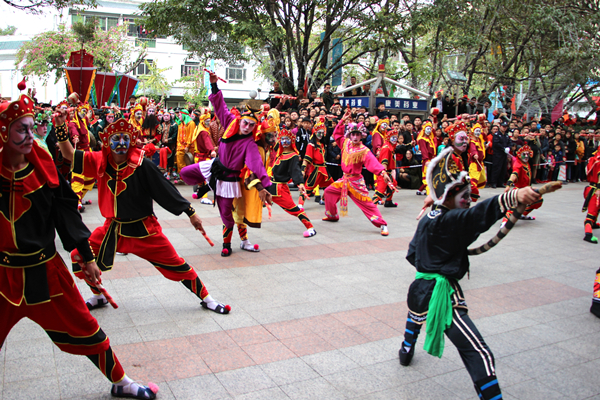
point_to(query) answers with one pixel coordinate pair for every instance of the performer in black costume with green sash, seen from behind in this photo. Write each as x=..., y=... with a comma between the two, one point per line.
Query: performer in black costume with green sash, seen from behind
x=439, y=253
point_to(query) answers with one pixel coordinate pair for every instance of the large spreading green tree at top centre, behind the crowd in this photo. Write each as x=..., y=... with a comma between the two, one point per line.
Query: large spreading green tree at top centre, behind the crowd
x=285, y=32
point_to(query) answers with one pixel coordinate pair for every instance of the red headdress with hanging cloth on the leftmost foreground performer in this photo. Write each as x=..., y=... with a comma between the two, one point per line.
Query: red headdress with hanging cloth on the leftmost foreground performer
x=11, y=112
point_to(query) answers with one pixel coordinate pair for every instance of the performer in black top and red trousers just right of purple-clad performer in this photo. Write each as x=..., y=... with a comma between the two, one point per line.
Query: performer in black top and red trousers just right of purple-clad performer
x=286, y=167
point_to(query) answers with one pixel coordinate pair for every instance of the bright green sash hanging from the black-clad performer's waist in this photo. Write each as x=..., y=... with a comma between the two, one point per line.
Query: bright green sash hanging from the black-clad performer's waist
x=439, y=316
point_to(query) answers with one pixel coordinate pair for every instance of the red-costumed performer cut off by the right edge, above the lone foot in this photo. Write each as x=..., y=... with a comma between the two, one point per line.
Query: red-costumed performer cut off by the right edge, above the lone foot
x=592, y=197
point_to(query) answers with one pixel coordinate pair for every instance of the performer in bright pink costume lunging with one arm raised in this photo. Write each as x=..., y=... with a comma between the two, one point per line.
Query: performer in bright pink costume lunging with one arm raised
x=355, y=155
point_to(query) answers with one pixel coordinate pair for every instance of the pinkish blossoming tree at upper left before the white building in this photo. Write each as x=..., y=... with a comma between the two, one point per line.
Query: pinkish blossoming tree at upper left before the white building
x=47, y=53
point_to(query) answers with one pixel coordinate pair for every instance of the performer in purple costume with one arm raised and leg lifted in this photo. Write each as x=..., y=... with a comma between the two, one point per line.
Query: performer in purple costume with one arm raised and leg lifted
x=236, y=149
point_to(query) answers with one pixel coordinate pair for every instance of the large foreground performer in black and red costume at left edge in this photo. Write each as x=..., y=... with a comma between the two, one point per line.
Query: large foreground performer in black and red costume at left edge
x=35, y=202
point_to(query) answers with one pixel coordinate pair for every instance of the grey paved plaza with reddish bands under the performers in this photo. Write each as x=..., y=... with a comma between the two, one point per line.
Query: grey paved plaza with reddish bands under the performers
x=323, y=318
